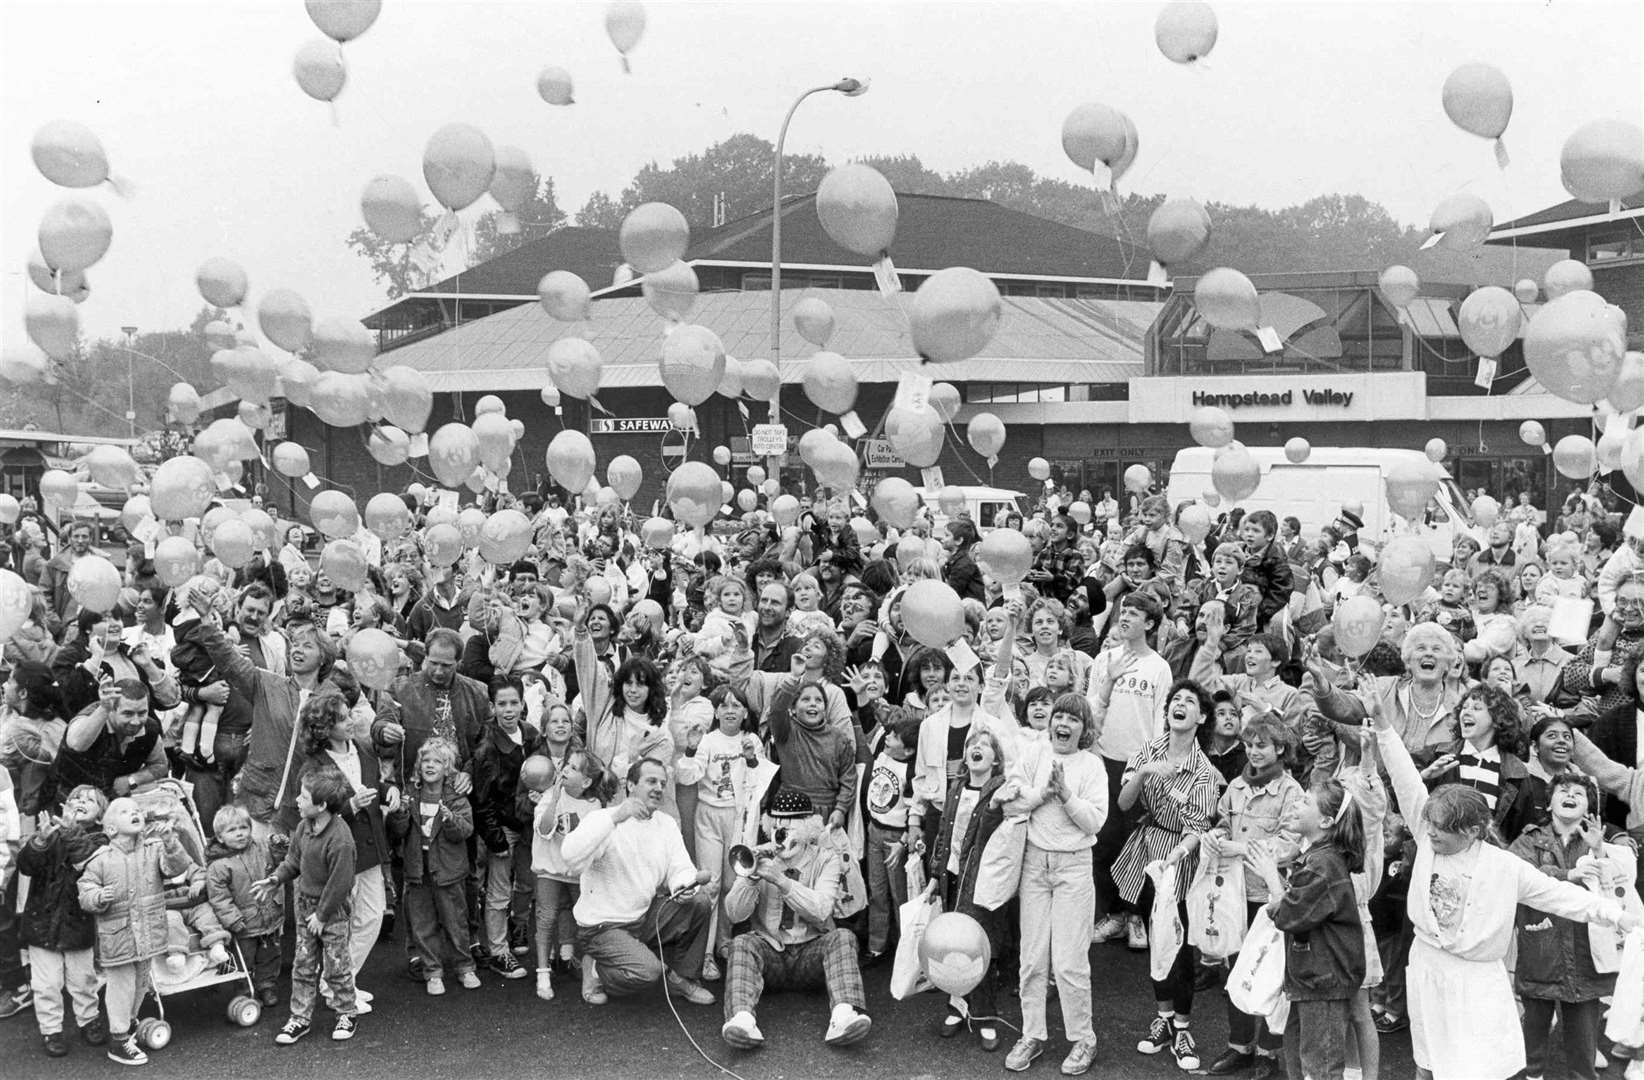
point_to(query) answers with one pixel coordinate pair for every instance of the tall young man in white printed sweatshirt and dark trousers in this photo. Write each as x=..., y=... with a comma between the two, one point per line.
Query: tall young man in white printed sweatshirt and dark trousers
x=1129, y=690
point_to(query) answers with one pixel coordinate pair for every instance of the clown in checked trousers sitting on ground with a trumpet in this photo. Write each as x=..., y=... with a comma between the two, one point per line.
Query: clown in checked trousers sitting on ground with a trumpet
x=793, y=943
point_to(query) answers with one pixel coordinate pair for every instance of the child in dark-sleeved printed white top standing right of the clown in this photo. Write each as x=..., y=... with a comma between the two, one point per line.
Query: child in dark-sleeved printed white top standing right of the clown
x=889, y=795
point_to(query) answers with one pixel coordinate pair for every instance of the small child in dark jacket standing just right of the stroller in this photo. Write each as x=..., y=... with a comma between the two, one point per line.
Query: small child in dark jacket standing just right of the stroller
x=236, y=862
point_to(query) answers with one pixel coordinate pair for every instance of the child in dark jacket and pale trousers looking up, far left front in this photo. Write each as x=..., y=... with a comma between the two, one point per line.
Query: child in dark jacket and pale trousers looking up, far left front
x=58, y=933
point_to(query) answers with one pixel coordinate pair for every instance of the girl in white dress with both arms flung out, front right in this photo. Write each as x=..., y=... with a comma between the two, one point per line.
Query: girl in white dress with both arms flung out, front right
x=1464, y=895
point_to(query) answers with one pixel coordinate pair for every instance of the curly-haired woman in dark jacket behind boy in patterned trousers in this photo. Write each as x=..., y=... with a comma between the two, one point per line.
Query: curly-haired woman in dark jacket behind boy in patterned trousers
x=330, y=742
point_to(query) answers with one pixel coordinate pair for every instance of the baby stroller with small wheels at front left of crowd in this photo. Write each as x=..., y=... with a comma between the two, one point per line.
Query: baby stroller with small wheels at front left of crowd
x=173, y=801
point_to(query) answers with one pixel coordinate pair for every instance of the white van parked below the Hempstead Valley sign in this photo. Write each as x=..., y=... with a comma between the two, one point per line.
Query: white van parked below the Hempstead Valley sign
x=1332, y=478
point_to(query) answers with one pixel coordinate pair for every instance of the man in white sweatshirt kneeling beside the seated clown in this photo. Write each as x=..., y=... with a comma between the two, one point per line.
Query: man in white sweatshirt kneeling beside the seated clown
x=626, y=857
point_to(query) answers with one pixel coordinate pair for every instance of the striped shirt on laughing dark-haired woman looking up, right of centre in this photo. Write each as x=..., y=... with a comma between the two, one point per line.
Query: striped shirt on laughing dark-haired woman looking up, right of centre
x=1173, y=806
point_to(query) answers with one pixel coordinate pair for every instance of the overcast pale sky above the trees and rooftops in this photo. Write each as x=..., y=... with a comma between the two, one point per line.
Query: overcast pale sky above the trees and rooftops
x=228, y=157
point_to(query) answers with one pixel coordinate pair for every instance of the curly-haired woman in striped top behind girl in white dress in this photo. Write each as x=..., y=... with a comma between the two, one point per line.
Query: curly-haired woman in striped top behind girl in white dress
x=1490, y=757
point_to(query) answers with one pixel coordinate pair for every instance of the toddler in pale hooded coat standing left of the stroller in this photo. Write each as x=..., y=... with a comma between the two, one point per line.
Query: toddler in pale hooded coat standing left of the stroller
x=126, y=887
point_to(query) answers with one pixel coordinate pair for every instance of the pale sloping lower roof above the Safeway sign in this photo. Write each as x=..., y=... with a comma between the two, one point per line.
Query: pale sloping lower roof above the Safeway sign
x=1071, y=341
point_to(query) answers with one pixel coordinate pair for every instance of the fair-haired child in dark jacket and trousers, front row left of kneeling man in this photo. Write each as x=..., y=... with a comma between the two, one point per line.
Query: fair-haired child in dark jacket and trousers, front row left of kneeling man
x=435, y=824
